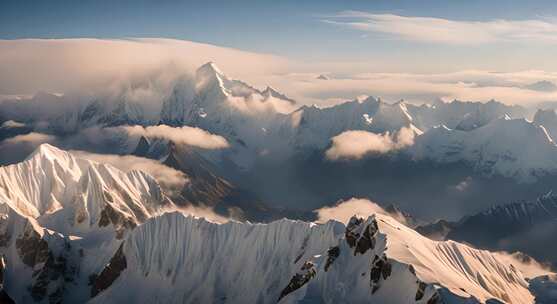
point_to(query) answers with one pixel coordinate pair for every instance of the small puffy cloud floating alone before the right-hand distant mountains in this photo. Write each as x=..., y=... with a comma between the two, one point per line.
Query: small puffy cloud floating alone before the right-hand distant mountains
x=356, y=144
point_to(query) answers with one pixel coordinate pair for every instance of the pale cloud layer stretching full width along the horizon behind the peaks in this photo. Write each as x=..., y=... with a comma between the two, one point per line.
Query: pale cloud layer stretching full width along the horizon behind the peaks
x=145, y=69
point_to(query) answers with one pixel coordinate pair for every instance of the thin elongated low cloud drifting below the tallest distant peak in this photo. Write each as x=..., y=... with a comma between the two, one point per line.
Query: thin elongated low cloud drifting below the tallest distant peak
x=182, y=135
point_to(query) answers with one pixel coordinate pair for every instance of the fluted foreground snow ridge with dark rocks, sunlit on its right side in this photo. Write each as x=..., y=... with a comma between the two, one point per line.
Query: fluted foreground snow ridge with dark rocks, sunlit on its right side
x=177, y=259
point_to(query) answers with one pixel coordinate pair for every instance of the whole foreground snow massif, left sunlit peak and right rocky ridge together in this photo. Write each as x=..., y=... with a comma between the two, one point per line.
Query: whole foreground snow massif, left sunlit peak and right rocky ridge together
x=73, y=230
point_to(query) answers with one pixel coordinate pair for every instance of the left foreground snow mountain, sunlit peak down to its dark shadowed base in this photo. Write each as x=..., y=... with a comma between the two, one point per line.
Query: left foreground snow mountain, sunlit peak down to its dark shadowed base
x=62, y=216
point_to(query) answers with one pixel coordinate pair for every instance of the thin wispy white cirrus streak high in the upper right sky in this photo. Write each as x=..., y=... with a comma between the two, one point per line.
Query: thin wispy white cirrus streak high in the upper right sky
x=446, y=31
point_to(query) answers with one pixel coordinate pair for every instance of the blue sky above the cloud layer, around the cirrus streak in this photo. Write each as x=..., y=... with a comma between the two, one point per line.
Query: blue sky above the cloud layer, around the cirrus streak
x=289, y=28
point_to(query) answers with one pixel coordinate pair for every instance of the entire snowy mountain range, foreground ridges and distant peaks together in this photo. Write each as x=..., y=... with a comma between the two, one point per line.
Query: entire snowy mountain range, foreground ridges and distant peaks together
x=74, y=228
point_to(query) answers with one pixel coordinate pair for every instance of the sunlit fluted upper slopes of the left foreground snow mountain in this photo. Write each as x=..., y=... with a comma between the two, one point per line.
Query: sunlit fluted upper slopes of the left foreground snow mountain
x=75, y=196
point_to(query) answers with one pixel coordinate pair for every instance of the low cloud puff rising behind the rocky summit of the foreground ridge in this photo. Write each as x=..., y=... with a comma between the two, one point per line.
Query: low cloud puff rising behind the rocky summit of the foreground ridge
x=343, y=211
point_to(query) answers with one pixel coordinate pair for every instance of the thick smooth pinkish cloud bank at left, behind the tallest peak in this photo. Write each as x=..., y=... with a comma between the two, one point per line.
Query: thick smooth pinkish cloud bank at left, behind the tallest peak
x=74, y=64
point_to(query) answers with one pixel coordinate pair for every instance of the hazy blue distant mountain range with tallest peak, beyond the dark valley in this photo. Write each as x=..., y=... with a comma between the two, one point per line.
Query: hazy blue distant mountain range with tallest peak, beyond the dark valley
x=277, y=147
